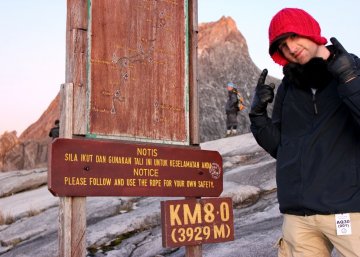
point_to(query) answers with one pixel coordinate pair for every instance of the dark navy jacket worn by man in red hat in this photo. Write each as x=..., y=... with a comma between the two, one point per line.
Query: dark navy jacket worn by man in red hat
x=315, y=138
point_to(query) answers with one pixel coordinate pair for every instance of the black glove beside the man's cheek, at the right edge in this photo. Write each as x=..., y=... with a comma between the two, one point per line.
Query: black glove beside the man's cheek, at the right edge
x=342, y=65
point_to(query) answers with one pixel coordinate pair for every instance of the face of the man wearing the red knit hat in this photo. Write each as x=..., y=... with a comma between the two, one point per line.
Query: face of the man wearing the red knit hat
x=298, y=49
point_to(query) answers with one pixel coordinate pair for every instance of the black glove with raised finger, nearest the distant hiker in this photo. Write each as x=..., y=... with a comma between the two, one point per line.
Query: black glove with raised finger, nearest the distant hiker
x=264, y=94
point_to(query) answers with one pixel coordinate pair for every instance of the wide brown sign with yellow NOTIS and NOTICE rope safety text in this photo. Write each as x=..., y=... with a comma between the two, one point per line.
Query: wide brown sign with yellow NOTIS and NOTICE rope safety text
x=82, y=167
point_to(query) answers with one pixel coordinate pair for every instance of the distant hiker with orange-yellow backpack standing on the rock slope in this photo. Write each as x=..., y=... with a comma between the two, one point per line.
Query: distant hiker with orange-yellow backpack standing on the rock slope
x=233, y=105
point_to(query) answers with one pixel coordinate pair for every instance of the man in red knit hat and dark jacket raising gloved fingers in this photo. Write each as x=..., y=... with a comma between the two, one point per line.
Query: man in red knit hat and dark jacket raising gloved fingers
x=314, y=133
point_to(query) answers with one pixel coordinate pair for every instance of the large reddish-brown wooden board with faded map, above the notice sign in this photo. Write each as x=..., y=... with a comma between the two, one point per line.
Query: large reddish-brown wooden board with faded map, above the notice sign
x=138, y=70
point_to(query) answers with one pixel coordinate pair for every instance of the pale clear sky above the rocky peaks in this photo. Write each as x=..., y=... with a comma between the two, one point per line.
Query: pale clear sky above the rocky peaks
x=32, y=45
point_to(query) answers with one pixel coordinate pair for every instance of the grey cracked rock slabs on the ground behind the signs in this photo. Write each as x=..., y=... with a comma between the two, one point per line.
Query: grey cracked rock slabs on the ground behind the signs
x=131, y=226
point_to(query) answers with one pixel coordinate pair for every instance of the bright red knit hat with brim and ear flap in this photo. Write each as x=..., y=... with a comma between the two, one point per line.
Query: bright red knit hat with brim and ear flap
x=292, y=20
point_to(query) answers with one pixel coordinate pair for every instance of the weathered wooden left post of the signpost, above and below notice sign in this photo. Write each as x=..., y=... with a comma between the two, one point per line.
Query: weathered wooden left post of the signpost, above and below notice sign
x=72, y=210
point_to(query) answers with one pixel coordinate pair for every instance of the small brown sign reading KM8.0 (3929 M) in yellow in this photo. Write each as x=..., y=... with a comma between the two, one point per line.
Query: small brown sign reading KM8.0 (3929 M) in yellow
x=194, y=222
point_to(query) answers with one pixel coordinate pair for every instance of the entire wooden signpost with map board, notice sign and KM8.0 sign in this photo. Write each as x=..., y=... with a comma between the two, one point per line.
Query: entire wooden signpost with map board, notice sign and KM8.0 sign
x=129, y=121
